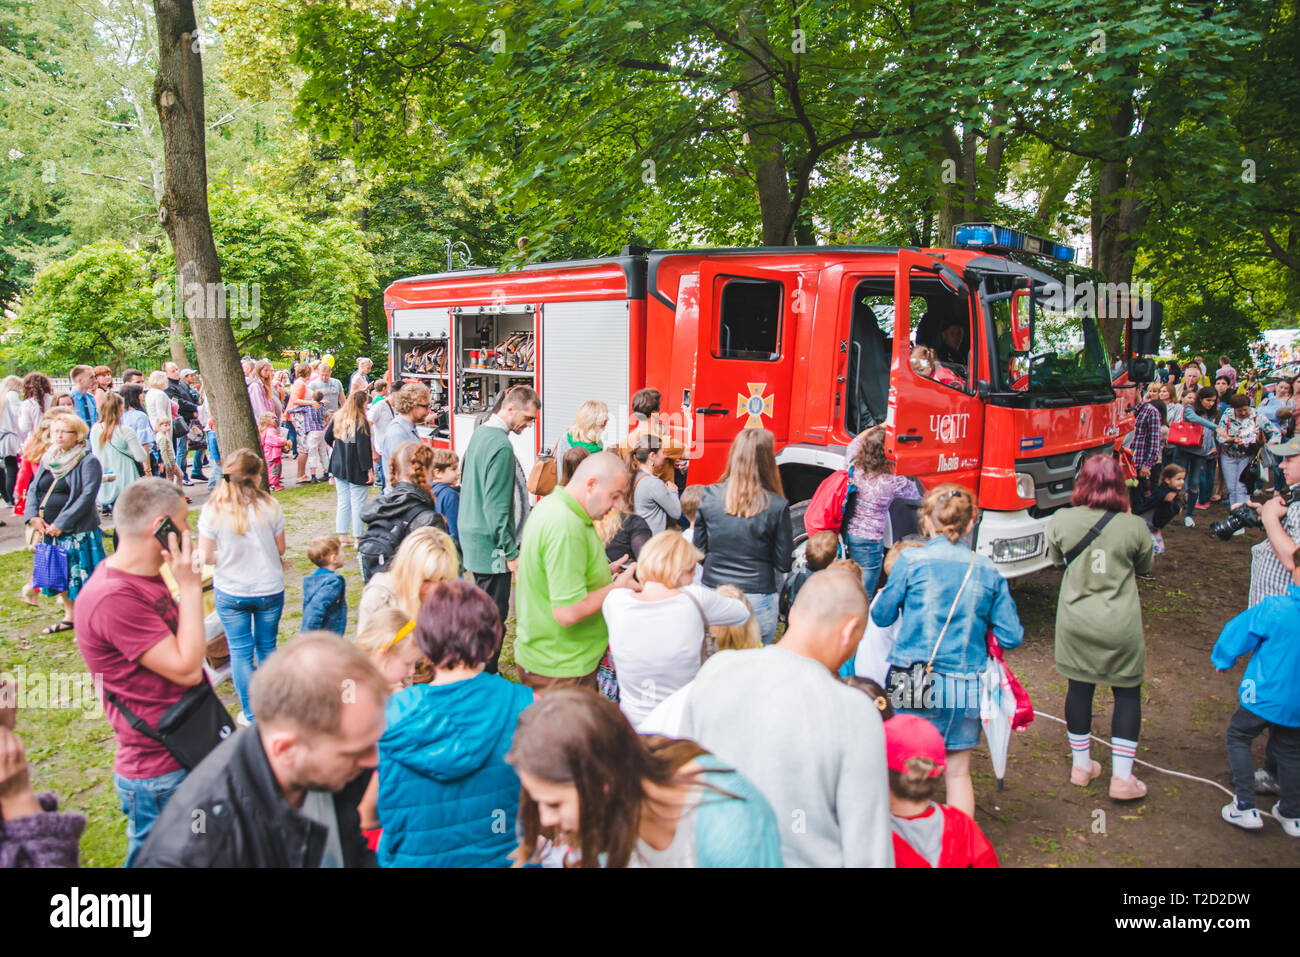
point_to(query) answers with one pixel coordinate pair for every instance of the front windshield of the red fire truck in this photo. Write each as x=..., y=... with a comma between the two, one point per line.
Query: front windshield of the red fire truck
x=1041, y=349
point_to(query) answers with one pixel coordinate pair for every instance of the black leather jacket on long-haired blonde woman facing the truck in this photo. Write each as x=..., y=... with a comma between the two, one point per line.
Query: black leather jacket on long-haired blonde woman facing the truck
x=753, y=555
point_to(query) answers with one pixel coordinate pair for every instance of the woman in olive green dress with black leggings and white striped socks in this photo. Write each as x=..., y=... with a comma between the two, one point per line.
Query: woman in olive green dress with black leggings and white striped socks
x=1099, y=635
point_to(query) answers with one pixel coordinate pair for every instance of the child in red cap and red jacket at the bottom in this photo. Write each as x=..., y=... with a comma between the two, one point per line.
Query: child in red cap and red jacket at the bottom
x=928, y=834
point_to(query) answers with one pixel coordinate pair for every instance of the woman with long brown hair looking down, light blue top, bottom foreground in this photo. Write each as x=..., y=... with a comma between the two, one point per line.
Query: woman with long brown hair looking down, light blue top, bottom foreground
x=619, y=800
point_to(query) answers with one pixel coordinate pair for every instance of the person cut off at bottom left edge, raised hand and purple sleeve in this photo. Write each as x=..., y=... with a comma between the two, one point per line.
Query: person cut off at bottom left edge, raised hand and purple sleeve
x=33, y=833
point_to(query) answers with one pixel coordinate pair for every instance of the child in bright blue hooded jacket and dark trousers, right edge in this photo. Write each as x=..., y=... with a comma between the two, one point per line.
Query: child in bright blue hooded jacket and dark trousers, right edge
x=1269, y=701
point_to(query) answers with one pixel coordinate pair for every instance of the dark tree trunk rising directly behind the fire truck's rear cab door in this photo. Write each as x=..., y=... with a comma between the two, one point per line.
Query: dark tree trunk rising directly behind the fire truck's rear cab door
x=757, y=105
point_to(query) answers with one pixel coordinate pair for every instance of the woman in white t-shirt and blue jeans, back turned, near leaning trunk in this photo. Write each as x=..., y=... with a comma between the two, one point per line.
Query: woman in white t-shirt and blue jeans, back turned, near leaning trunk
x=242, y=531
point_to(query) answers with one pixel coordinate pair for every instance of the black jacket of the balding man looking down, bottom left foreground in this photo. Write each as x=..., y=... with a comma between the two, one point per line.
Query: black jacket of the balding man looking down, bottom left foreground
x=229, y=813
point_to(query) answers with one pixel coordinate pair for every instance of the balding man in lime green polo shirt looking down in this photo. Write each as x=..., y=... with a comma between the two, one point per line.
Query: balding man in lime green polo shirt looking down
x=564, y=579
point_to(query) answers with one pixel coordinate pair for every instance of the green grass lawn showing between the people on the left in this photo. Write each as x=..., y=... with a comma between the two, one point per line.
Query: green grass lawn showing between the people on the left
x=72, y=755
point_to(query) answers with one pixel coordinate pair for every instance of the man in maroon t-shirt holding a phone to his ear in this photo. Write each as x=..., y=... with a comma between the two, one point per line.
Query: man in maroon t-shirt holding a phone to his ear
x=148, y=648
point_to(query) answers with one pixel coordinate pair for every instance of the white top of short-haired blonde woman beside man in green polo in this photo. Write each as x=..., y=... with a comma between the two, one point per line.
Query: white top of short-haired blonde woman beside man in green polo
x=656, y=646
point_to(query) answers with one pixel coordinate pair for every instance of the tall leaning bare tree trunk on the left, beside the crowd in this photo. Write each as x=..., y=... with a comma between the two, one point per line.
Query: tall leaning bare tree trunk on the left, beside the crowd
x=179, y=99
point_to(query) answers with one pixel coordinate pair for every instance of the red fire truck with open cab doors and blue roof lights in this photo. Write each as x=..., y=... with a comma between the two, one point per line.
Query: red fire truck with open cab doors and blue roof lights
x=811, y=343
